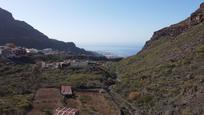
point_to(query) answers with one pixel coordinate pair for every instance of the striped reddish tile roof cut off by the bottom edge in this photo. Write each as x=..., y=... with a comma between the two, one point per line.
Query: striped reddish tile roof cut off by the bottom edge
x=66, y=111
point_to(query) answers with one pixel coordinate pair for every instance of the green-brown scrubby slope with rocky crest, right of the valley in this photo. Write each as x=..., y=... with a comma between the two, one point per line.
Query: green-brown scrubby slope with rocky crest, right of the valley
x=167, y=76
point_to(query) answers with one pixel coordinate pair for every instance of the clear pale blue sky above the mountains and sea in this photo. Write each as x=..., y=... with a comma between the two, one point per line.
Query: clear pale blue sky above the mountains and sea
x=100, y=21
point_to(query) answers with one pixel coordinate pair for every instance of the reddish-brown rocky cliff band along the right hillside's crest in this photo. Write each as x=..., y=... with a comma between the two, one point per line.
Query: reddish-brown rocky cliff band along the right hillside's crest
x=174, y=30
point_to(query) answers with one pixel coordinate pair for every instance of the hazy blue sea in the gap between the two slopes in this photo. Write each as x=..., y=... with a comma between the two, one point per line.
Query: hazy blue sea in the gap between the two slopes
x=114, y=50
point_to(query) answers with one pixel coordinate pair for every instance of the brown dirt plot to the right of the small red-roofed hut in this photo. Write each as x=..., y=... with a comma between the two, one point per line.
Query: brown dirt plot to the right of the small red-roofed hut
x=92, y=103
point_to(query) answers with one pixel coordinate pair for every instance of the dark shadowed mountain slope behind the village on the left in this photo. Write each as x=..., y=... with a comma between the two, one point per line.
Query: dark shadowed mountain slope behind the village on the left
x=22, y=34
